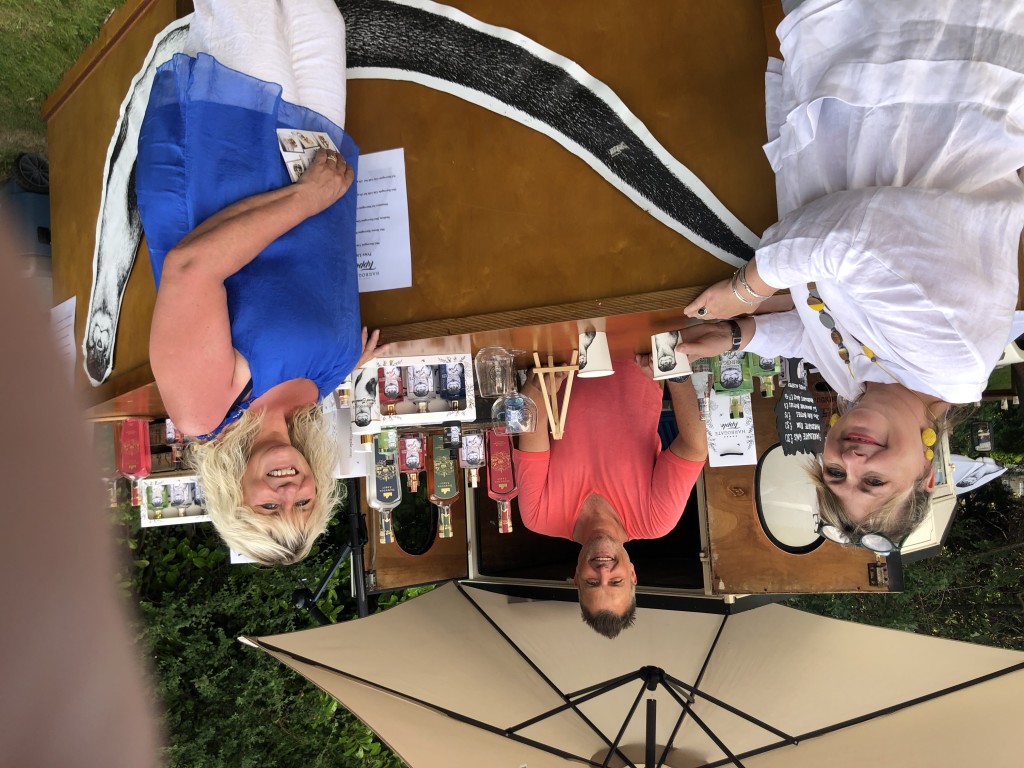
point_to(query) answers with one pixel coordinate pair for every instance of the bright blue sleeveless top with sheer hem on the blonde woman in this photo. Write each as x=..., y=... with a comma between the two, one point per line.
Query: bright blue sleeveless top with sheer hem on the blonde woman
x=209, y=140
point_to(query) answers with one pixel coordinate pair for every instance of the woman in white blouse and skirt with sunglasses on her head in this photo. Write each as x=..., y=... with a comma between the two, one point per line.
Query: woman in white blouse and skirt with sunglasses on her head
x=897, y=133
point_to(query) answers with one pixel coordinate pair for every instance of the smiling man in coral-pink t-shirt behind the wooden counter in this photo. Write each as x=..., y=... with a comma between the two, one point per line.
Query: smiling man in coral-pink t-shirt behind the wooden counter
x=608, y=482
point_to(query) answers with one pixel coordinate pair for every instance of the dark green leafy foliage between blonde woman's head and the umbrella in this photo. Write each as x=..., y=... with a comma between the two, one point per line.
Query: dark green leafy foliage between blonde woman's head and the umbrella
x=226, y=704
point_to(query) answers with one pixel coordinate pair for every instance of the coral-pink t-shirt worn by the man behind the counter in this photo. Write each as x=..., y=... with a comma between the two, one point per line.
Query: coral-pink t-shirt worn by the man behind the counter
x=611, y=447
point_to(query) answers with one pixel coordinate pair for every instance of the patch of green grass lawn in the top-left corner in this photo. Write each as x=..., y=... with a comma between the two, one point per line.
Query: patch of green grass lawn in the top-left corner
x=39, y=40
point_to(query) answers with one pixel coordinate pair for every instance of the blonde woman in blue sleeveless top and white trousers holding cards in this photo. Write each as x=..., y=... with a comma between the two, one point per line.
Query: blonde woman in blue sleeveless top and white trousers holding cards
x=258, y=308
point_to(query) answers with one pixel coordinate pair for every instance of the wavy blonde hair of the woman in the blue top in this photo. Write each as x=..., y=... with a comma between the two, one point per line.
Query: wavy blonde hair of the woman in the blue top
x=222, y=464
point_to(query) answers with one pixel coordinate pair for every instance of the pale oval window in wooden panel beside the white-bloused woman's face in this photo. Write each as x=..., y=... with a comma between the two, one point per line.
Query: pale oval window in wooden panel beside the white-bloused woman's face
x=787, y=502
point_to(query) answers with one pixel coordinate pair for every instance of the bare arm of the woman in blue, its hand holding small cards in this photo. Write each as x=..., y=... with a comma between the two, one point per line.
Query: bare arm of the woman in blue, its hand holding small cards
x=191, y=352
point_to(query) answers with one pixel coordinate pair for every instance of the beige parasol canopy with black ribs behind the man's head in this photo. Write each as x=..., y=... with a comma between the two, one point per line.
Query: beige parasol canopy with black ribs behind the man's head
x=466, y=677
